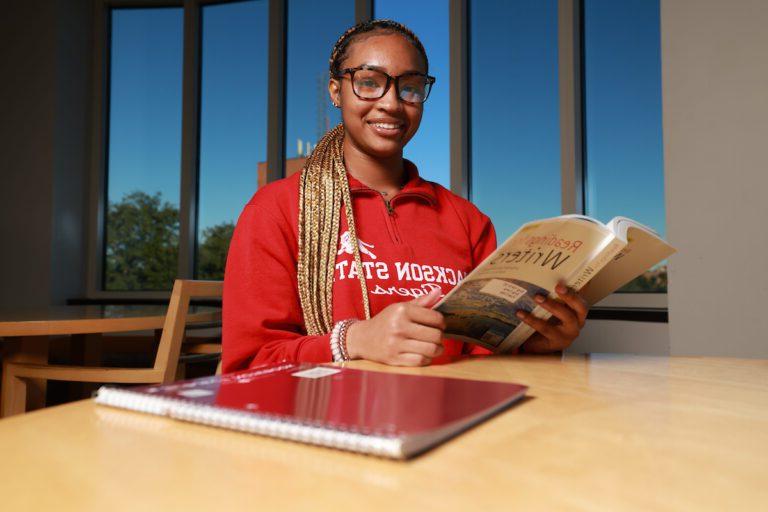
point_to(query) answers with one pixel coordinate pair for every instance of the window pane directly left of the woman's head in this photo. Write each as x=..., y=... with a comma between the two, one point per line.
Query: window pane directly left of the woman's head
x=313, y=28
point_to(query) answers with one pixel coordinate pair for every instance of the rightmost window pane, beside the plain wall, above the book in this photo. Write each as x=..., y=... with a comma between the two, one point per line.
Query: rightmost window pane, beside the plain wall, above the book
x=624, y=167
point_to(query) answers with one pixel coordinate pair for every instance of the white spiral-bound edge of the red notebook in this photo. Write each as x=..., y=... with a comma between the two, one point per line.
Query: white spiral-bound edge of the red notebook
x=252, y=423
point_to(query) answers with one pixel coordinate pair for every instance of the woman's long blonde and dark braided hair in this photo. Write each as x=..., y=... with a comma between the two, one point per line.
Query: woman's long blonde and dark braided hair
x=323, y=190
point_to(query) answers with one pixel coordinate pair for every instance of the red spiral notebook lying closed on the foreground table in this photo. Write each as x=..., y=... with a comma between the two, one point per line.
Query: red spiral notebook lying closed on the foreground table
x=385, y=414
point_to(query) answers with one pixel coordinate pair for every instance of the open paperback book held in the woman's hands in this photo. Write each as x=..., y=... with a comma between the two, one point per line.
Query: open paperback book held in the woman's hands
x=586, y=254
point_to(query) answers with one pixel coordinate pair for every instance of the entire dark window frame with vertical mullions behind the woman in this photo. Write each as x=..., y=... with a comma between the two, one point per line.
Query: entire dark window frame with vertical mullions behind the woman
x=571, y=97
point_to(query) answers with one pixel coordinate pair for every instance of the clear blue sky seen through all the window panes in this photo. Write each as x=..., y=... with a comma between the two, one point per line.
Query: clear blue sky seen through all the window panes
x=515, y=153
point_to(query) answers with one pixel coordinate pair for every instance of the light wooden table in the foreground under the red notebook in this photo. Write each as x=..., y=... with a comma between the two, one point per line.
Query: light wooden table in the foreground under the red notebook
x=599, y=432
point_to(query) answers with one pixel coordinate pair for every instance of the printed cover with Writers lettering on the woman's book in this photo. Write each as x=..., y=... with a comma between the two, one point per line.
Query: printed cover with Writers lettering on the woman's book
x=481, y=309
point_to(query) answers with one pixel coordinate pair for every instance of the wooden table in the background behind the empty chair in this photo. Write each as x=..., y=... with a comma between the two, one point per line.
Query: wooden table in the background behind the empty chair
x=25, y=332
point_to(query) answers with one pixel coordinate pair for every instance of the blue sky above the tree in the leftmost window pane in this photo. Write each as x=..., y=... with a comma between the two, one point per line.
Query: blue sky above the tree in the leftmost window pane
x=145, y=103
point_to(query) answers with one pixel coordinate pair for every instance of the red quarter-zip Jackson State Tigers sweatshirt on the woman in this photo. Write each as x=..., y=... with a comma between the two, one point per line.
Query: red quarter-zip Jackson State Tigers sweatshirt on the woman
x=426, y=237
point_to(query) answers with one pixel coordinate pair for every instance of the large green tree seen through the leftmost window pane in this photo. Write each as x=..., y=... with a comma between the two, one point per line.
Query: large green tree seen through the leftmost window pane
x=142, y=243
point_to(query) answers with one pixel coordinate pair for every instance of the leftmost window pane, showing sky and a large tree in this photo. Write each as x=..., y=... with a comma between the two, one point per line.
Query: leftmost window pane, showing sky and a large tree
x=144, y=149
